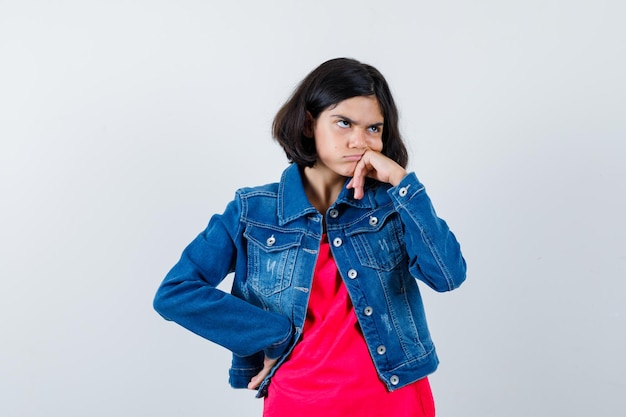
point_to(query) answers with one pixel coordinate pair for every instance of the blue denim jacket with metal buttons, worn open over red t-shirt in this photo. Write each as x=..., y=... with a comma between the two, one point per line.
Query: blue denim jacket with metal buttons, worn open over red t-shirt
x=269, y=237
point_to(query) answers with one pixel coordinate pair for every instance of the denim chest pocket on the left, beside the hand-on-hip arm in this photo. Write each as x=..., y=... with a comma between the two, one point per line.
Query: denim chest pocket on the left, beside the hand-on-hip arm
x=271, y=258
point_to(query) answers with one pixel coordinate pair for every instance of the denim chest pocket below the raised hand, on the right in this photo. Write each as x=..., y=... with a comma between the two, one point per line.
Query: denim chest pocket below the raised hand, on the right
x=378, y=241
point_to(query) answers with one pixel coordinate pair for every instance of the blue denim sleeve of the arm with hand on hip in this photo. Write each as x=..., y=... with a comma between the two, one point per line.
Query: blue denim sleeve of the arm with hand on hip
x=189, y=297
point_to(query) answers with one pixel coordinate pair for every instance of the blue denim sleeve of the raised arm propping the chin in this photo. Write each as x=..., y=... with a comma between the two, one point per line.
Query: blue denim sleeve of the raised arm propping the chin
x=434, y=253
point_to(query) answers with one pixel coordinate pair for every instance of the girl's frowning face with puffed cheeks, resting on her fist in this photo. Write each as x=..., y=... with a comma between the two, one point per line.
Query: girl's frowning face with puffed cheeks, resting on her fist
x=344, y=132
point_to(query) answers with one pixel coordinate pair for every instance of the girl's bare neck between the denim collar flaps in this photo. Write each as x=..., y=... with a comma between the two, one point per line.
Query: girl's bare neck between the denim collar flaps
x=322, y=188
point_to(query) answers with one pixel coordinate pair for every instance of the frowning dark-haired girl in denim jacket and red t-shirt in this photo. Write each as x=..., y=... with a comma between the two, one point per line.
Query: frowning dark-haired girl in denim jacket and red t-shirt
x=325, y=317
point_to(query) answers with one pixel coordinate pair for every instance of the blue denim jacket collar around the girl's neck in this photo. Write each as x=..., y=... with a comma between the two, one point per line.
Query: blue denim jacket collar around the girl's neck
x=293, y=202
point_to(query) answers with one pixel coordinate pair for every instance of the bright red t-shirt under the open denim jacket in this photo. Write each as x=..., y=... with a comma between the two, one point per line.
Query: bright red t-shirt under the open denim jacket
x=330, y=372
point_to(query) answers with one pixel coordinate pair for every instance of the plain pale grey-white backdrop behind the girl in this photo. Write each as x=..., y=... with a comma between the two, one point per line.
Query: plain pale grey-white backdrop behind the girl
x=125, y=125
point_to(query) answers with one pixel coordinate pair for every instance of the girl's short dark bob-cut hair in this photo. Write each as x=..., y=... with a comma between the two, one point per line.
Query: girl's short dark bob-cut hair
x=327, y=85
